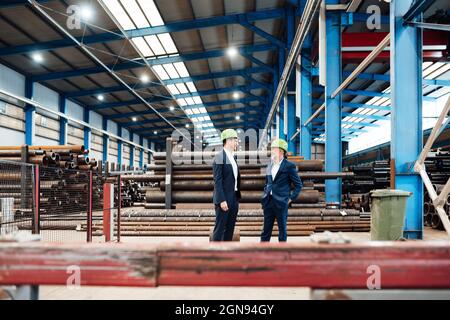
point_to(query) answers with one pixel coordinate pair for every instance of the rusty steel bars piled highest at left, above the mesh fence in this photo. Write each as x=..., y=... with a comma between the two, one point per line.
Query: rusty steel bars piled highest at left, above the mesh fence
x=63, y=156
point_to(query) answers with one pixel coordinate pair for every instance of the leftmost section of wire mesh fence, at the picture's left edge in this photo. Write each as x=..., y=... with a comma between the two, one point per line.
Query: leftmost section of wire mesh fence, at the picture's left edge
x=16, y=198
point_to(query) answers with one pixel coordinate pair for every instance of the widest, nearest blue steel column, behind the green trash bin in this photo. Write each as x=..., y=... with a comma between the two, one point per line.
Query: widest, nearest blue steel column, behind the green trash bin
x=406, y=96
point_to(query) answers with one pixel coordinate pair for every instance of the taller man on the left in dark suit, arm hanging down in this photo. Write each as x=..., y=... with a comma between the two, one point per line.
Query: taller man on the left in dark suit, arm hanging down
x=227, y=181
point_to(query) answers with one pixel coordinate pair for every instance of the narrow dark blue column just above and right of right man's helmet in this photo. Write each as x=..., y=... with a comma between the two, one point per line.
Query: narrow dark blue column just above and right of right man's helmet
x=292, y=123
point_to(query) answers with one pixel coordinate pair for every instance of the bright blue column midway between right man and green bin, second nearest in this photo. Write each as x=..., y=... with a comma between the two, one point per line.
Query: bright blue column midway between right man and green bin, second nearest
x=333, y=144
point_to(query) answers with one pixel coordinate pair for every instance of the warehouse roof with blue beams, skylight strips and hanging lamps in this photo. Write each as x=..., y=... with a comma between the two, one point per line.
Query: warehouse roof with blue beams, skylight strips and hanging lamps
x=208, y=64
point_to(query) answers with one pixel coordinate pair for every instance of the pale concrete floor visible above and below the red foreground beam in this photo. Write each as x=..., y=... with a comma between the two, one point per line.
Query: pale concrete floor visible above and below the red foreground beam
x=202, y=293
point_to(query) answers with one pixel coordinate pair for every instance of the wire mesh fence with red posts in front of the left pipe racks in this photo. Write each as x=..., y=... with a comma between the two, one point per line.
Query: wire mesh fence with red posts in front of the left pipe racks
x=61, y=205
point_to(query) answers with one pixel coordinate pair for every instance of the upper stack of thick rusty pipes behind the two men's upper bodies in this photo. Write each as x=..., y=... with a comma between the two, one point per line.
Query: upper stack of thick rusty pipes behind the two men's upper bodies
x=193, y=183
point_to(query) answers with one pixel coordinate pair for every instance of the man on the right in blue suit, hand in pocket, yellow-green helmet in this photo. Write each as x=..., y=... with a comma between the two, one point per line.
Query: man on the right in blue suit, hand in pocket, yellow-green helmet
x=283, y=186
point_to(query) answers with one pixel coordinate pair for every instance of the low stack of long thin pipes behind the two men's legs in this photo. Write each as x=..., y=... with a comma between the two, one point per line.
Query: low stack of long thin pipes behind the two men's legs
x=195, y=222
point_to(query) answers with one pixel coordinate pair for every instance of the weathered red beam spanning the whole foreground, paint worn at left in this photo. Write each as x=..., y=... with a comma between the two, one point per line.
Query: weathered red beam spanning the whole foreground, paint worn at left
x=402, y=265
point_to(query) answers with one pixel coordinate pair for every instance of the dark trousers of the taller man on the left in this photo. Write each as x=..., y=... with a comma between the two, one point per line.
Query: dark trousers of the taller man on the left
x=226, y=220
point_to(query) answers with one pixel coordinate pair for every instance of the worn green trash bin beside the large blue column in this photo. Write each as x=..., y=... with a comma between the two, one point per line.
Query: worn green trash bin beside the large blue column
x=388, y=210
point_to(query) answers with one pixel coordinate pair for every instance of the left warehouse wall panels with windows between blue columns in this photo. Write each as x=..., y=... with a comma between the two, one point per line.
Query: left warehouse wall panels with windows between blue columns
x=47, y=124
